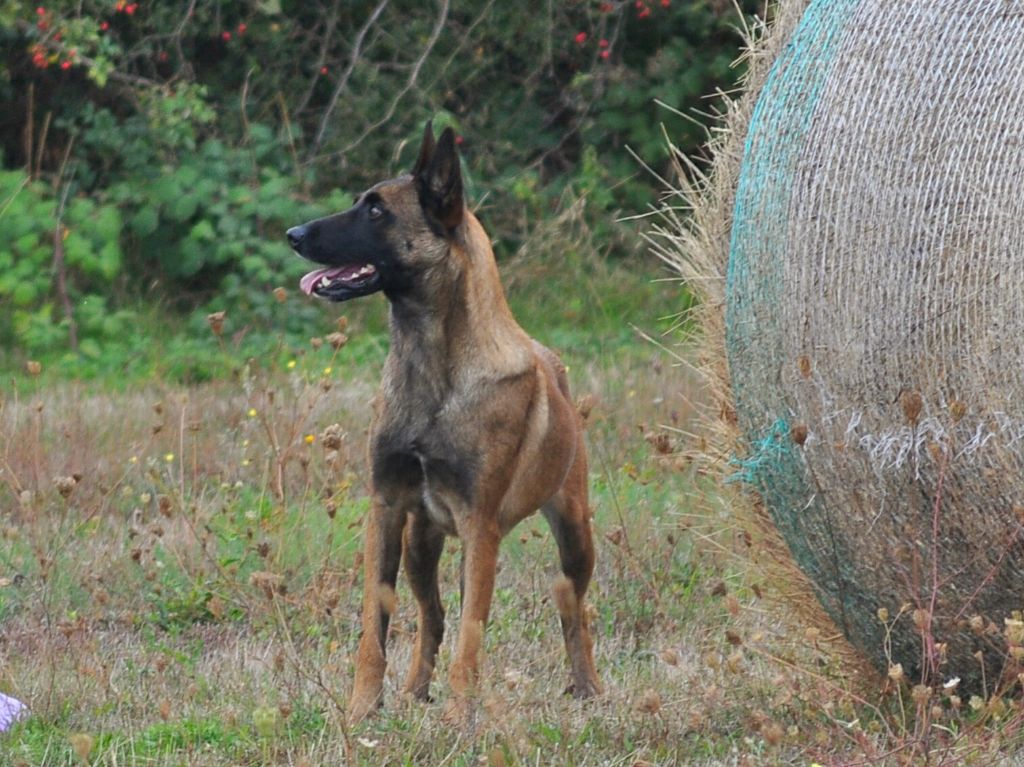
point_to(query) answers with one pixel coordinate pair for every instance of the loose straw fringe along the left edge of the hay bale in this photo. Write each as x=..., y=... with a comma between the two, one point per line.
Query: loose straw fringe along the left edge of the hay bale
x=693, y=237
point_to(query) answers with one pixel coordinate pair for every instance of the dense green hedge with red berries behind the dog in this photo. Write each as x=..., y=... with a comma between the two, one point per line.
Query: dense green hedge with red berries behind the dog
x=153, y=154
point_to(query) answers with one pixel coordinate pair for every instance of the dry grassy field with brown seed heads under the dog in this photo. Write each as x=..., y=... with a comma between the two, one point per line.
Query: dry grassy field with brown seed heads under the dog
x=180, y=579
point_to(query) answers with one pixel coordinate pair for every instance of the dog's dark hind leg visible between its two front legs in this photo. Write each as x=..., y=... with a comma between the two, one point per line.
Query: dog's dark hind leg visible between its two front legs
x=424, y=543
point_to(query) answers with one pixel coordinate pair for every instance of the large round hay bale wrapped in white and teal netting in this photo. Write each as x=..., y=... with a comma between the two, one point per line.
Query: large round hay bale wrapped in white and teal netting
x=869, y=299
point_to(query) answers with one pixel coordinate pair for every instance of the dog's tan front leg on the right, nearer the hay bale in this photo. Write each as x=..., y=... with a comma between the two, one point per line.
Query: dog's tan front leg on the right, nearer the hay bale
x=481, y=562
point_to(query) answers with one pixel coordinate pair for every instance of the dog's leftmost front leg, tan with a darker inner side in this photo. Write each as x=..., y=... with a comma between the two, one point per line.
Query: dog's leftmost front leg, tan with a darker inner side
x=382, y=556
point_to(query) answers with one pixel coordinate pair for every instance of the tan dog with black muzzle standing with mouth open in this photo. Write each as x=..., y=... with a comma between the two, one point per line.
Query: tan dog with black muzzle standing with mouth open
x=474, y=428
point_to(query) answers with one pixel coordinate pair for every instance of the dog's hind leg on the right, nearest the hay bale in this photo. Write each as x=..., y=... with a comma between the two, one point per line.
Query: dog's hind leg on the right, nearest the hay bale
x=569, y=516
